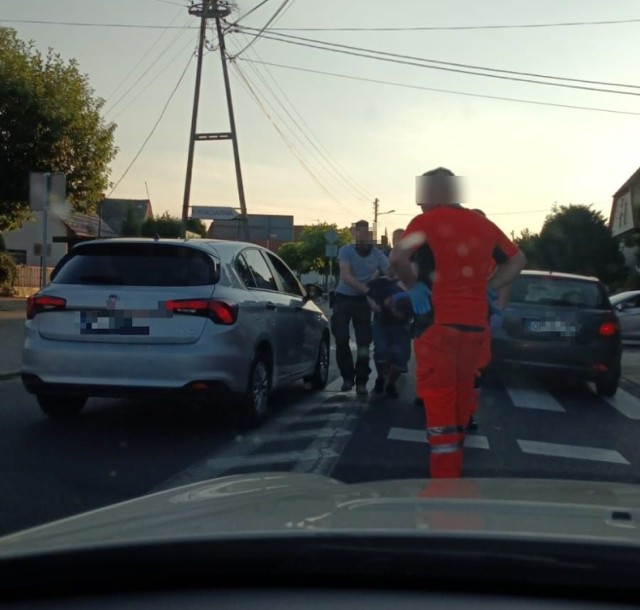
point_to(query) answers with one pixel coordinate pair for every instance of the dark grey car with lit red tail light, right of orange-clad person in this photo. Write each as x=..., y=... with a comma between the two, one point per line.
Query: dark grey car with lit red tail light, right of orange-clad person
x=564, y=323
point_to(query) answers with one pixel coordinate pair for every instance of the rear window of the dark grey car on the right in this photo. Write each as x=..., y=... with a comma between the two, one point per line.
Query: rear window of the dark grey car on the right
x=551, y=291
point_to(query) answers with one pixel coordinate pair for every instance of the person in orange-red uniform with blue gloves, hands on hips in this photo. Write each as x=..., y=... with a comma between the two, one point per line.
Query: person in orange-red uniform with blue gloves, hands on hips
x=454, y=250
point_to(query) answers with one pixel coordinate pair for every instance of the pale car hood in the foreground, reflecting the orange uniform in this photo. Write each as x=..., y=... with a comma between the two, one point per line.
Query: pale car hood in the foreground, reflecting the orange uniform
x=285, y=504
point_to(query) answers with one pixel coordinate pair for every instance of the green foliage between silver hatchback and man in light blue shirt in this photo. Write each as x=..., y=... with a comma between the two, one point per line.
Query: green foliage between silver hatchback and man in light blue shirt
x=308, y=253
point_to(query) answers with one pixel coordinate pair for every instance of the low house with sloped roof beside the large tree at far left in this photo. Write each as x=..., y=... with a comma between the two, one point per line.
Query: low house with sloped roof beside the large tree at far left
x=65, y=228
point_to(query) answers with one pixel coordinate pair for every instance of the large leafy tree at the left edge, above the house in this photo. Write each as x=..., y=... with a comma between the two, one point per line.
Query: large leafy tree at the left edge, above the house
x=49, y=122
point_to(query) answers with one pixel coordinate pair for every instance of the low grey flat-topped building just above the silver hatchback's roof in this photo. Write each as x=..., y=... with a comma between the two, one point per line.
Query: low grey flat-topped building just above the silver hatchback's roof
x=268, y=230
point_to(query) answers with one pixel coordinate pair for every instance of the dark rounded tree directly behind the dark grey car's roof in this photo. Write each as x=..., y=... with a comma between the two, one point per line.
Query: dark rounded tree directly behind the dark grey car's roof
x=576, y=239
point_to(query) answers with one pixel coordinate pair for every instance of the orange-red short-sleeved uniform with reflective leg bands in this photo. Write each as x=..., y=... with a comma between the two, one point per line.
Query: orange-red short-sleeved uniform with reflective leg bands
x=458, y=247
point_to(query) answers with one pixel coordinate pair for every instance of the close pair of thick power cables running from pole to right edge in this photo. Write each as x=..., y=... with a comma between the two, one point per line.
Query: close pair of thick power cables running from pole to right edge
x=442, y=65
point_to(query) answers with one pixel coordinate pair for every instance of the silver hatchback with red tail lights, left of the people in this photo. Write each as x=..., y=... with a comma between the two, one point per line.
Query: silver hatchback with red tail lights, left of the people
x=205, y=318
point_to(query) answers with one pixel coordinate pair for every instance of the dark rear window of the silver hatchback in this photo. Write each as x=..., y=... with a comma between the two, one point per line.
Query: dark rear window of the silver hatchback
x=150, y=264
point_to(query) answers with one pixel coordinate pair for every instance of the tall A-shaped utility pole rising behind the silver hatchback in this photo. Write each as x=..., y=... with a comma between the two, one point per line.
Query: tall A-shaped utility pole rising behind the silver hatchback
x=212, y=9
